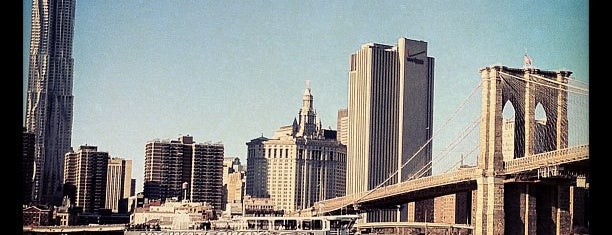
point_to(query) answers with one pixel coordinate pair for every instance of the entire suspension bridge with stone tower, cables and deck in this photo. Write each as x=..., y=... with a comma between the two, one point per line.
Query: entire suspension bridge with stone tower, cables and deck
x=539, y=186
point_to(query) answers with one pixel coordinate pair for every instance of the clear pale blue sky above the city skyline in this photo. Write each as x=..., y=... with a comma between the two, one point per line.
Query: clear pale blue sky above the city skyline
x=230, y=71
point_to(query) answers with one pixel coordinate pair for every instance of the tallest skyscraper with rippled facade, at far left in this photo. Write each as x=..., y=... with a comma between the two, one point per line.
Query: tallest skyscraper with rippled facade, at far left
x=49, y=98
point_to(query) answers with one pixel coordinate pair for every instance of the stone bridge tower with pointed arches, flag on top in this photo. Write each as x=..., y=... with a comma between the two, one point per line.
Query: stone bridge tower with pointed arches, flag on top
x=524, y=88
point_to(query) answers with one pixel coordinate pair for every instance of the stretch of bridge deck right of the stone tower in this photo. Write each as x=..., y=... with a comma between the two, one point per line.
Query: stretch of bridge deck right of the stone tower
x=546, y=159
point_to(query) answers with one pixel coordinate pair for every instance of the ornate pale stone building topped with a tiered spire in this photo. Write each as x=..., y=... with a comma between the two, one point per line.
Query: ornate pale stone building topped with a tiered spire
x=300, y=165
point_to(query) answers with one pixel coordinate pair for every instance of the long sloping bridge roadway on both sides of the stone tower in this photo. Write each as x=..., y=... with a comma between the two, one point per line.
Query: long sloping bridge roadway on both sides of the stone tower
x=459, y=180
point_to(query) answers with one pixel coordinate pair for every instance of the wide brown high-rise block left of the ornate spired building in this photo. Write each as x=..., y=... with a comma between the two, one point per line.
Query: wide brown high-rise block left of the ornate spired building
x=169, y=164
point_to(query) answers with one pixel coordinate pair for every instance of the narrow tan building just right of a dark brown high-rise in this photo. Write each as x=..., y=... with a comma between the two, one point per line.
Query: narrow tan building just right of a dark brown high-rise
x=118, y=182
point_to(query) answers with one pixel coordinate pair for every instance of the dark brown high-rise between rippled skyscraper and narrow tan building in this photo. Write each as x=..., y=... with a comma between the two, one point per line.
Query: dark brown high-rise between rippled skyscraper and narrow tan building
x=85, y=175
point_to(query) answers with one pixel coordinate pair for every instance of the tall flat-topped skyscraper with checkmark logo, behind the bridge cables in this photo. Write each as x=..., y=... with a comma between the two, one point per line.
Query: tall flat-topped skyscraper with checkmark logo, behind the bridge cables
x=390, y=104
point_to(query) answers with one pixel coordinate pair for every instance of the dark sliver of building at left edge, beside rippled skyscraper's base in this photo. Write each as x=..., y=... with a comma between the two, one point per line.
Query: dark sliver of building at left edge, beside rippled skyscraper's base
x=27, y=161
